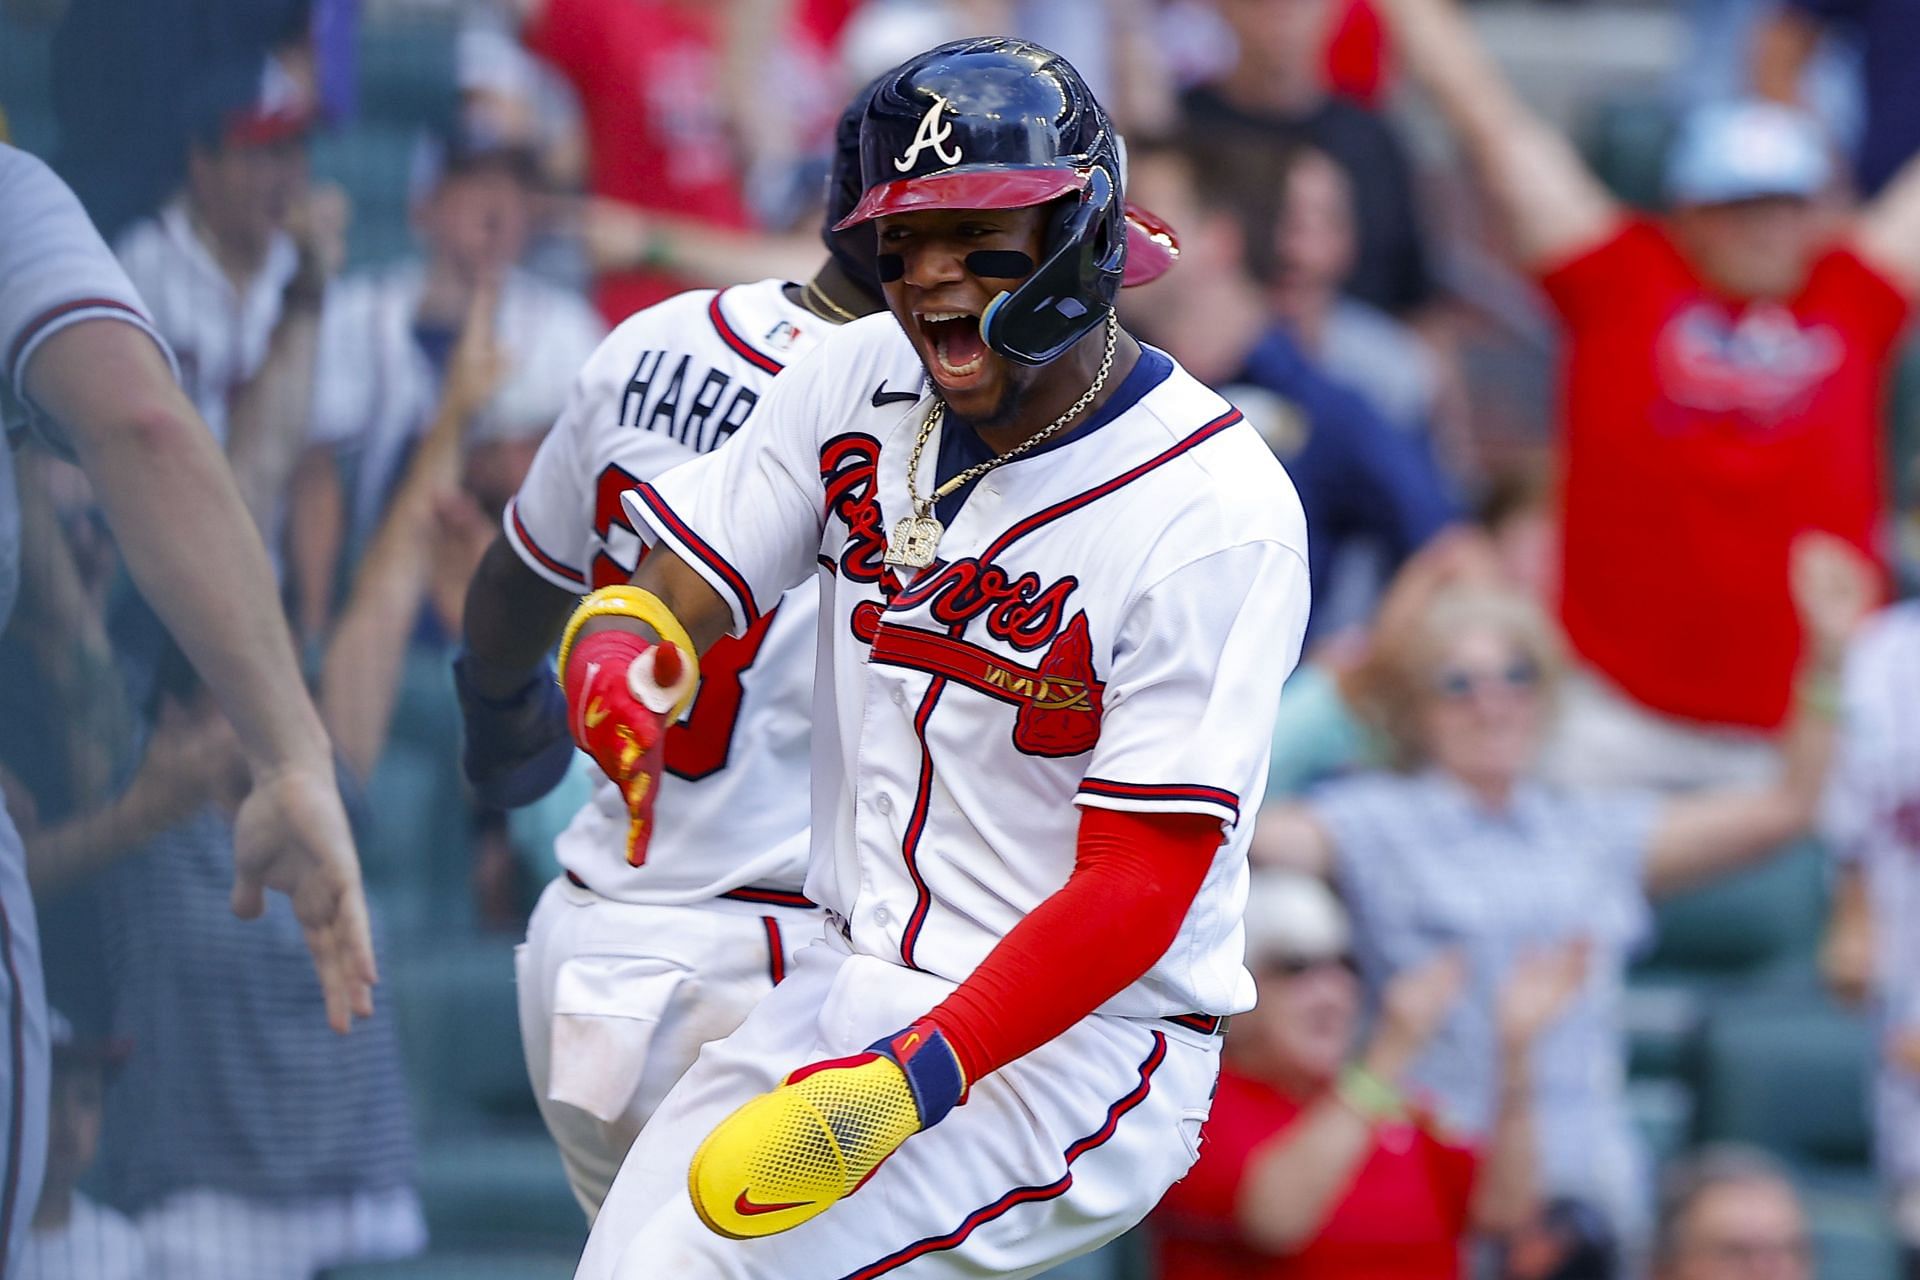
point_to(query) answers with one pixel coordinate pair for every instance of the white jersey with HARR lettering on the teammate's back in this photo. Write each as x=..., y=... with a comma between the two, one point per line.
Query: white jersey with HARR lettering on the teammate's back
x=669, y=385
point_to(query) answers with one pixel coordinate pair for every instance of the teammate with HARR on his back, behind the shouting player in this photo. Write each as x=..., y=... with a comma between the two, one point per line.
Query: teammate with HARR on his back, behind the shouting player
x=642, y=955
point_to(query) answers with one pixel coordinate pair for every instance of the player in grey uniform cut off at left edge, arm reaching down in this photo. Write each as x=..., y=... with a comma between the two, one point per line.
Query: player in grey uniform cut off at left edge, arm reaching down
x=84, y=358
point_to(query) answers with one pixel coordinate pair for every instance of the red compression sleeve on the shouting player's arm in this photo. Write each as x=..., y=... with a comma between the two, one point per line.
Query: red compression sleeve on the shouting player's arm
x=1134, y=880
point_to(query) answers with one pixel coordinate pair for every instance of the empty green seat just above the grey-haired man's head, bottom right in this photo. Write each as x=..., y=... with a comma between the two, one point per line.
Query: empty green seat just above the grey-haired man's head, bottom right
x=1788, y=1072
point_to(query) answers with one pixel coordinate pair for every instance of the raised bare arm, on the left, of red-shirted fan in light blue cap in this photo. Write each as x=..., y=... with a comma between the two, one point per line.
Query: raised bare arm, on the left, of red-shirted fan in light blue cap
x=1552, y=204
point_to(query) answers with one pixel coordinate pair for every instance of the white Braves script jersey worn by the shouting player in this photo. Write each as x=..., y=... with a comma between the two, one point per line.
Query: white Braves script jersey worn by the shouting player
x=1107, y=625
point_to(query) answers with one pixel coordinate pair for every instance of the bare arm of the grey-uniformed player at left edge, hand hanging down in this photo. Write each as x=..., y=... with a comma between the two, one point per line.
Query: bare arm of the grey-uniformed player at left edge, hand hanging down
x=193, y=550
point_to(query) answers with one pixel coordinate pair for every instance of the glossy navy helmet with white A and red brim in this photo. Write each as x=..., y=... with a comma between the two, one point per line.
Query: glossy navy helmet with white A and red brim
x=999, y=124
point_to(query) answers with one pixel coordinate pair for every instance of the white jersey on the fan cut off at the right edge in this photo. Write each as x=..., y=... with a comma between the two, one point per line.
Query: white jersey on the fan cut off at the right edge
x=1873, y=822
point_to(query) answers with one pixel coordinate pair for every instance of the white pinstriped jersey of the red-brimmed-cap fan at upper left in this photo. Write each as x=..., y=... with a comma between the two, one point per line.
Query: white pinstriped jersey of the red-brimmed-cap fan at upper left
x=218, y=335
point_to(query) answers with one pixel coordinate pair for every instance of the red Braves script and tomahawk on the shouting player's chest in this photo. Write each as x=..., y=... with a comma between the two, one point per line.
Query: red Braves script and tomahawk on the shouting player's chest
x=1059, y=701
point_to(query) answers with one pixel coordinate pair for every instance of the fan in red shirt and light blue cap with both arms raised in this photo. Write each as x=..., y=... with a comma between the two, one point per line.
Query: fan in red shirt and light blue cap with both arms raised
x=1723, y=377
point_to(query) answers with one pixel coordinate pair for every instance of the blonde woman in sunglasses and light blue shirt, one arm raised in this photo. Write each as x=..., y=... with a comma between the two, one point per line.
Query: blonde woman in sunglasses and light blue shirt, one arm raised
x=1464, y=845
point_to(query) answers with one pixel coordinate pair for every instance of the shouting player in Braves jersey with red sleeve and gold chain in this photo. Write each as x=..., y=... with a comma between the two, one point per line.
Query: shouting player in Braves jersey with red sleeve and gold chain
x=1061, y=592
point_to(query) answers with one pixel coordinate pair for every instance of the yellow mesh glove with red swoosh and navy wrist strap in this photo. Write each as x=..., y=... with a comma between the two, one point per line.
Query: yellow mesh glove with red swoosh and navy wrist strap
x=794, y=1154
